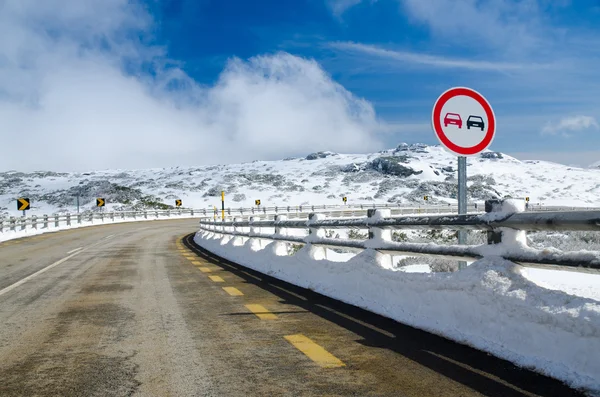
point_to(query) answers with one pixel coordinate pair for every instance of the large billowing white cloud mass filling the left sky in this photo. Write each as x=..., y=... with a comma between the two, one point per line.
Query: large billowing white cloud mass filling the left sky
x=67, y=103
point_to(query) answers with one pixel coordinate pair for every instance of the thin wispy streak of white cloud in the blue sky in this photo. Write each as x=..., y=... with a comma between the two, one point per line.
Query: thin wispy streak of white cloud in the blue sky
x=429, y=60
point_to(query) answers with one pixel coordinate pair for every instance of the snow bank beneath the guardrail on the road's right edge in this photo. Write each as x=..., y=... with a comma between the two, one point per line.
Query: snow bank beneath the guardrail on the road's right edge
x=490, y=305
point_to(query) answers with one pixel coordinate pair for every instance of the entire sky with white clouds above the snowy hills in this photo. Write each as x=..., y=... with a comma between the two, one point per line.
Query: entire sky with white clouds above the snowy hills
x=108, y=84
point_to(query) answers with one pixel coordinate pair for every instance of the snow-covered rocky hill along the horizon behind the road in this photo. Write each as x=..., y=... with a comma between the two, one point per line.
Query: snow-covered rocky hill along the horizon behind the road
x=401, y=175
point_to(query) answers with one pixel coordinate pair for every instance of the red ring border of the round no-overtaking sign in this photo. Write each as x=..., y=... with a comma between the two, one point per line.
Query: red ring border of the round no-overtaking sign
x=437, y=125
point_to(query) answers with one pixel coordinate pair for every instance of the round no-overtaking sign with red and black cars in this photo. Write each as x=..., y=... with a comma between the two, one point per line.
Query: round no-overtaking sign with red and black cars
x=463, y=121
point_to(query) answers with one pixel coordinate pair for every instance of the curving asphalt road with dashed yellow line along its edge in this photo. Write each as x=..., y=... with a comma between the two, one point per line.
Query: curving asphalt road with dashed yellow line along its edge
x=137, y=309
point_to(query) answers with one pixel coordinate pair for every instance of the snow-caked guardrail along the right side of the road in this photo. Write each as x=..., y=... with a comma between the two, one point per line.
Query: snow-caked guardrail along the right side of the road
x=501, y=228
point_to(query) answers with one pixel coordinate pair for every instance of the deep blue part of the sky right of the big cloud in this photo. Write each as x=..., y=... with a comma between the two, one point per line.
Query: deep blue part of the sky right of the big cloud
x=534, y=60
